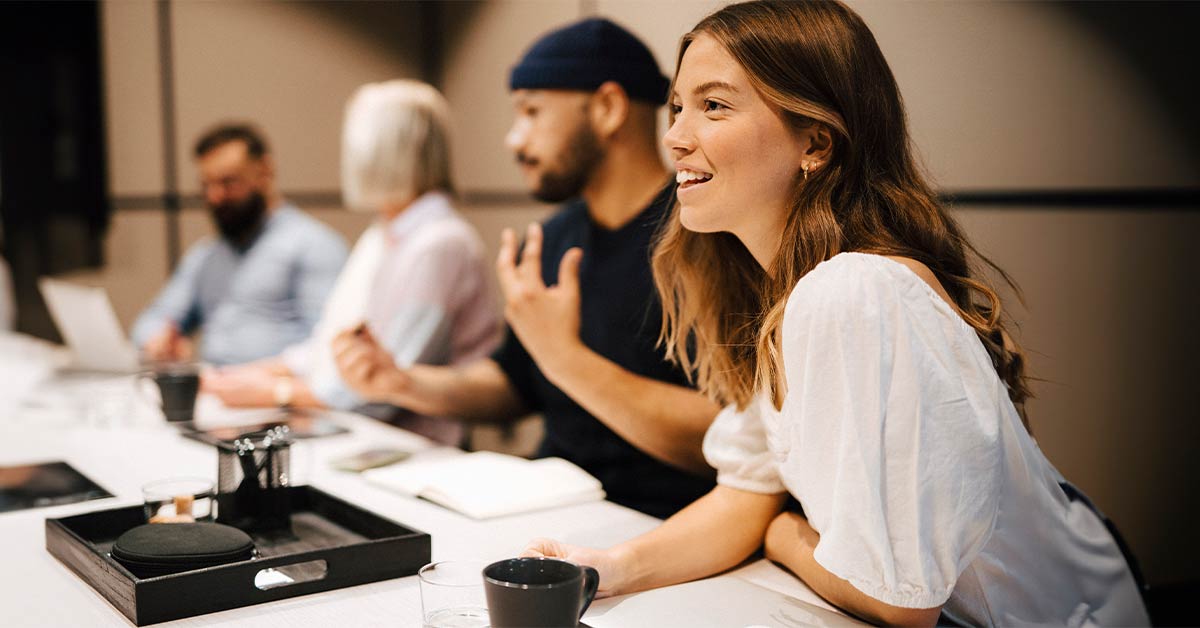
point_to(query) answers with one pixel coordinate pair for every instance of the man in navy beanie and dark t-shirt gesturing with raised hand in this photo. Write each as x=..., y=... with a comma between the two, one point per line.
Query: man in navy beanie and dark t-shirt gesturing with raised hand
x=584, y=316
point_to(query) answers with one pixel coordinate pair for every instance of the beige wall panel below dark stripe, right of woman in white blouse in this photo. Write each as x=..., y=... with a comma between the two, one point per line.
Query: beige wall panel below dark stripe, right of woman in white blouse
x=1111, y=330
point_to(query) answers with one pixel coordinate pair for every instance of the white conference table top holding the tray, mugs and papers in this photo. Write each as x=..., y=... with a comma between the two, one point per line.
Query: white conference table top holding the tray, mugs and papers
x=107, y=432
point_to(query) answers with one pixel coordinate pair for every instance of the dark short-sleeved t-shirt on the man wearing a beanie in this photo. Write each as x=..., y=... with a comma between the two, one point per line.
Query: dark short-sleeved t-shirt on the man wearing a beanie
x=620, y=319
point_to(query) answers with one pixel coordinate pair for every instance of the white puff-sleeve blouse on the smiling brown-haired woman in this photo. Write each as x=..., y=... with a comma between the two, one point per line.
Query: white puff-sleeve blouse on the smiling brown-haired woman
x=901, y=442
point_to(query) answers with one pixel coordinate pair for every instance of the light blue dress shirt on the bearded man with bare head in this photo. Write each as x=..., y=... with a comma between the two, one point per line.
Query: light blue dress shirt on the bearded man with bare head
x=251, y=304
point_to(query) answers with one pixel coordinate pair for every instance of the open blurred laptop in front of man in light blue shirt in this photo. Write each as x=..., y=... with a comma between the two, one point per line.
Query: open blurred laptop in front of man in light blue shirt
x=89, y=327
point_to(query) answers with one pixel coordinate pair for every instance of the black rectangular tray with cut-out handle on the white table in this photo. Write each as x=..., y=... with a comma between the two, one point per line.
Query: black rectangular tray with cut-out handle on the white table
x=333, y=545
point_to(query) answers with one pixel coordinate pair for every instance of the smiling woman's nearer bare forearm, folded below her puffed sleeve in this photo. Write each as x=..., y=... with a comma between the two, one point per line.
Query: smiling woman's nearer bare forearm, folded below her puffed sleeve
x=791, y=542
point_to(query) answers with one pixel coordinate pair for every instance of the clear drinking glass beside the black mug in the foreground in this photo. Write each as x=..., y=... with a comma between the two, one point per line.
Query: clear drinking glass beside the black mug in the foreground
x=453, y=595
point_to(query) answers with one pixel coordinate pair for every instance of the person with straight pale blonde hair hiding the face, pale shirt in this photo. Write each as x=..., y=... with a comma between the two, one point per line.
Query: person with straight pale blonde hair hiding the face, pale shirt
x=417, y=278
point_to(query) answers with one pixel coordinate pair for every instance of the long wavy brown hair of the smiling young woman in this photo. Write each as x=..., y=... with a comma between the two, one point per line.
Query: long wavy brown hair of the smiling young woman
x=820, y=65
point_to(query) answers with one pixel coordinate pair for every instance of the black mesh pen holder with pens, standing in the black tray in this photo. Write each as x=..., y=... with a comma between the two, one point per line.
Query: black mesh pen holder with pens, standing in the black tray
x=253, y=481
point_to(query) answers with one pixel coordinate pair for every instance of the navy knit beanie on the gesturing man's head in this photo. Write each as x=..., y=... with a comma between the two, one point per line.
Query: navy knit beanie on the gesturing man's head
x=589, y=53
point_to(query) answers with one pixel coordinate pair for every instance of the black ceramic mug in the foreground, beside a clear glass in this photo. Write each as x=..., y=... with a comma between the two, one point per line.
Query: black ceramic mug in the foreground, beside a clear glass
x=538, y=593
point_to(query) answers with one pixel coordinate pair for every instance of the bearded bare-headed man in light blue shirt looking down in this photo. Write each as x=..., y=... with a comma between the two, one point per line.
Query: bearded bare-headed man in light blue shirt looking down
x=261, y=284
